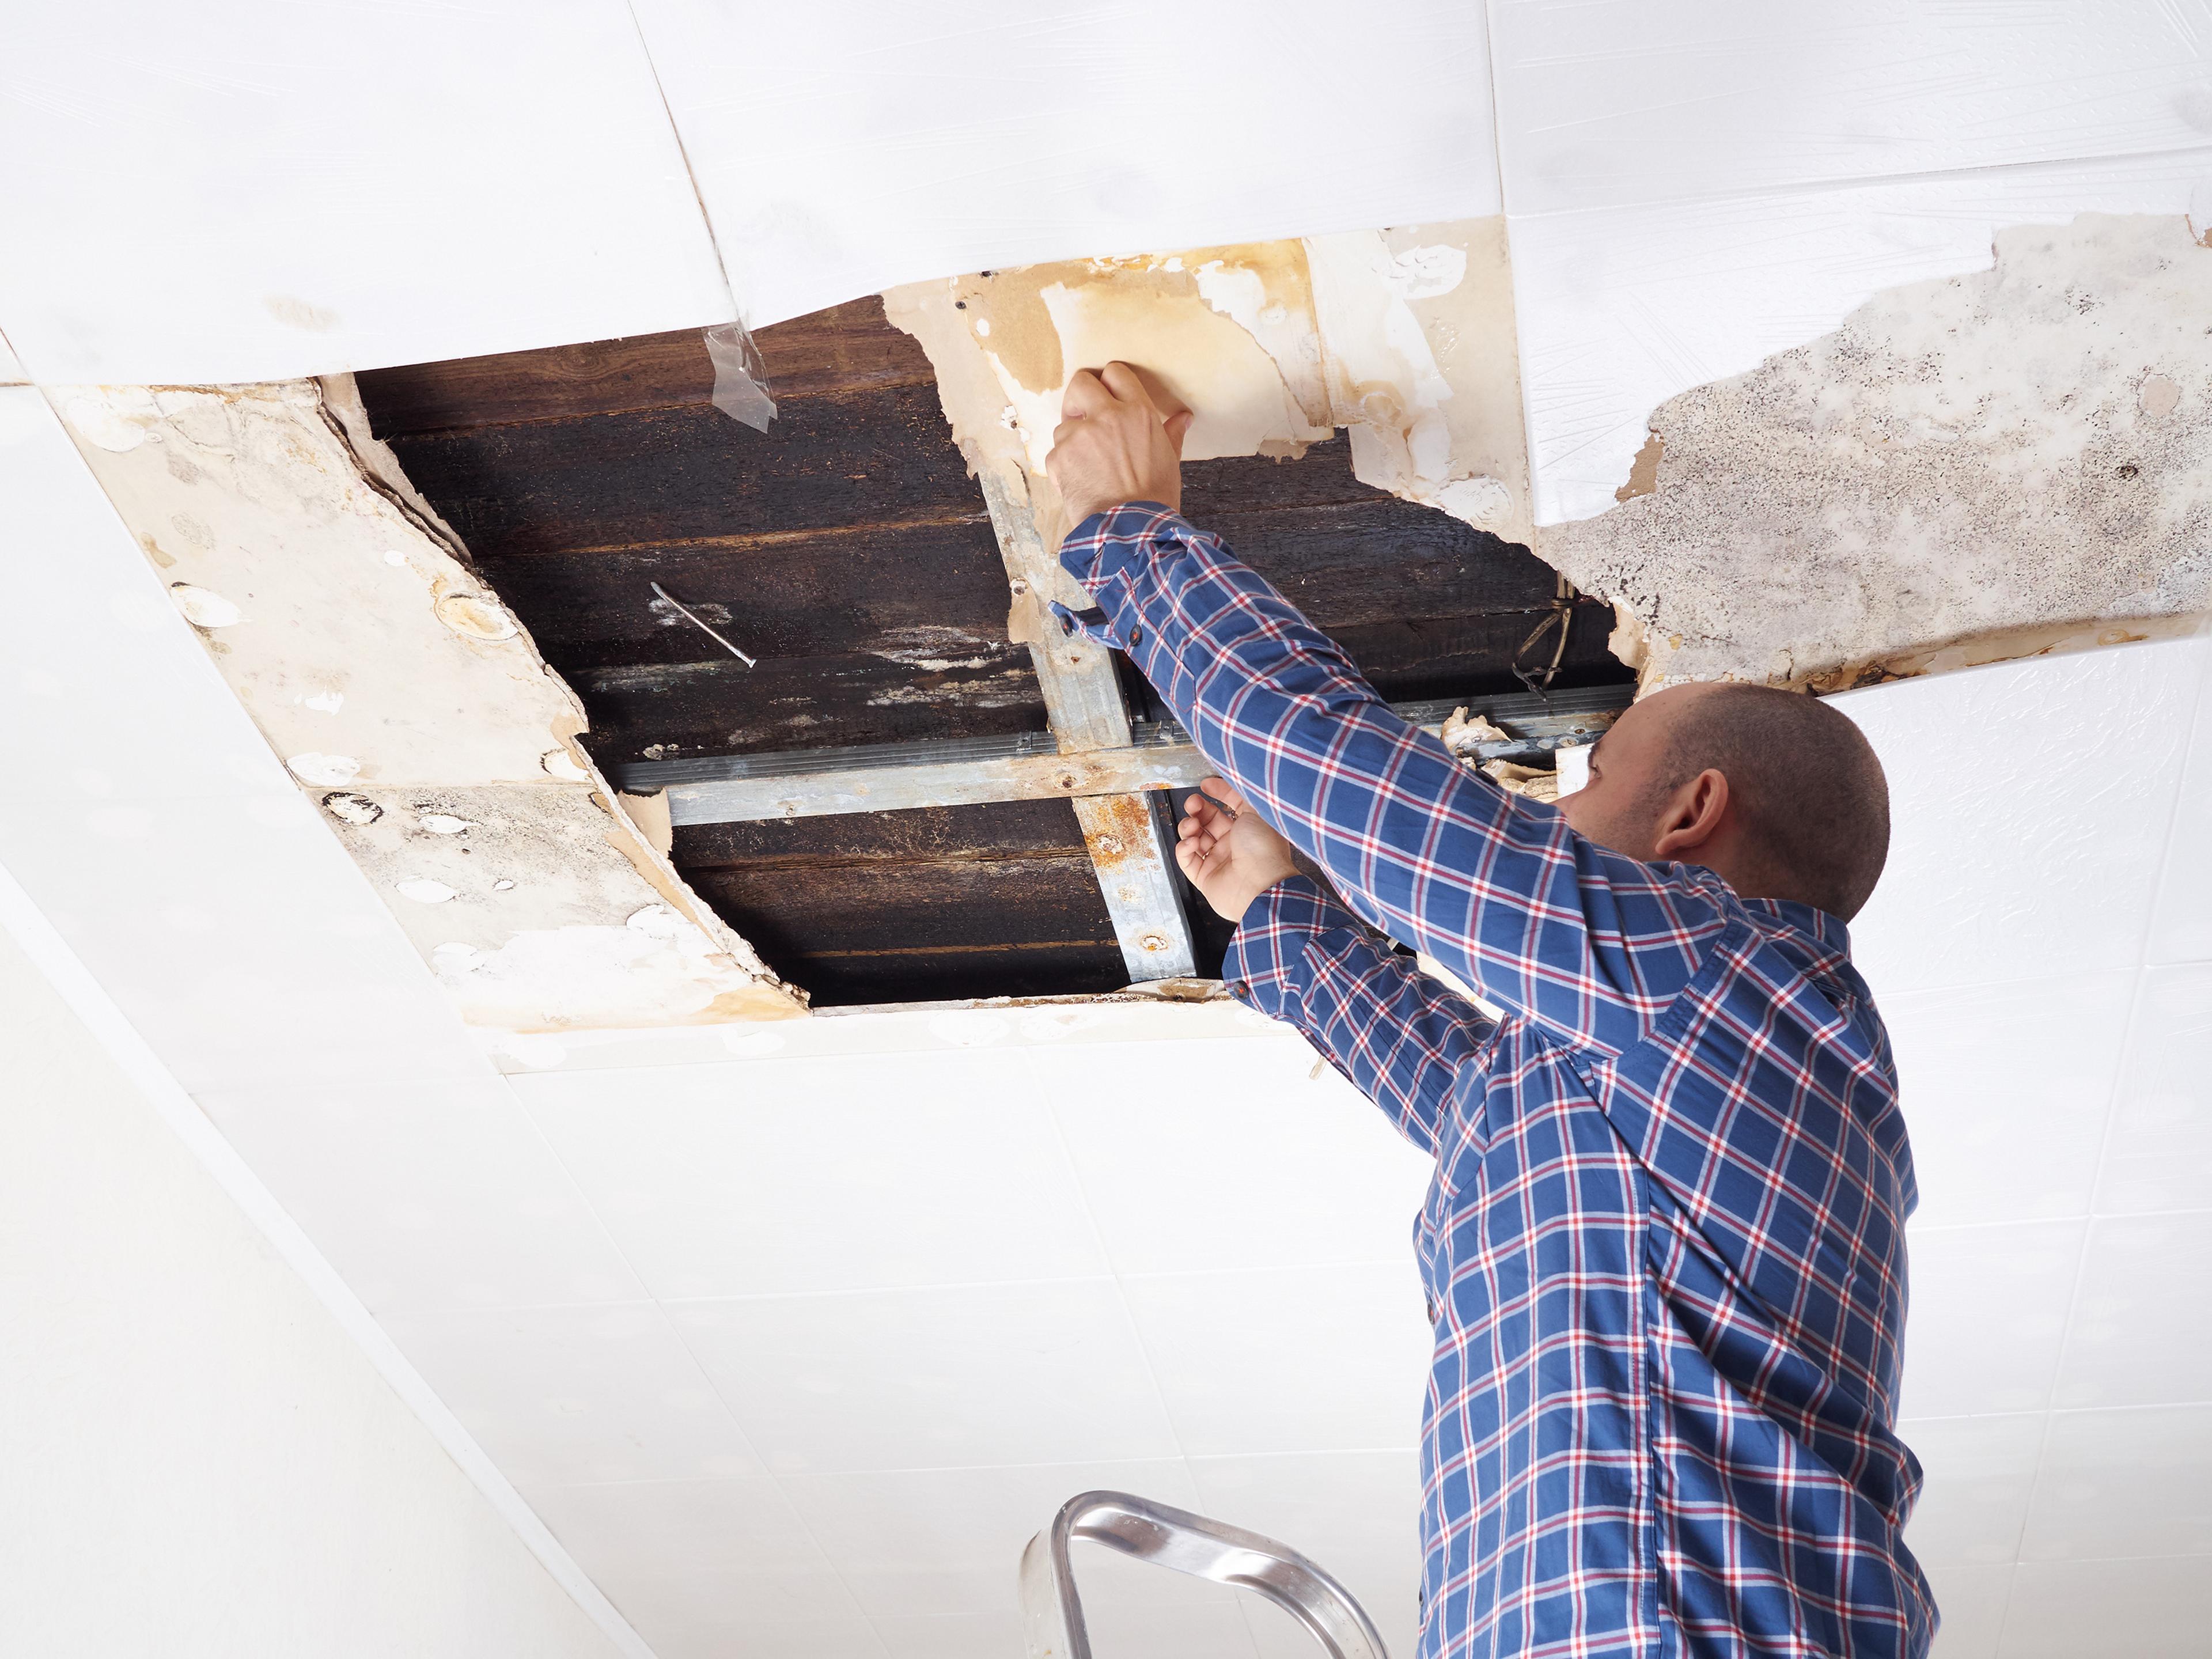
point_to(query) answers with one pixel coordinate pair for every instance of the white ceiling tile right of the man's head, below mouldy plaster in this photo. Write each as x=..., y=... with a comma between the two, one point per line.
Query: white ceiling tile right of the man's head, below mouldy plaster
x=1996, y=870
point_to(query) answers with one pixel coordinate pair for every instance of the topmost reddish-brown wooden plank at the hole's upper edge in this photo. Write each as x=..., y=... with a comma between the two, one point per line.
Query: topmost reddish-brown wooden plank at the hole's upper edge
x=846, y=348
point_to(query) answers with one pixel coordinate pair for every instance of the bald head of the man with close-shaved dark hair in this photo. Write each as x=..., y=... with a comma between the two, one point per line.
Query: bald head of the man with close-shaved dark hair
x=1775, y=791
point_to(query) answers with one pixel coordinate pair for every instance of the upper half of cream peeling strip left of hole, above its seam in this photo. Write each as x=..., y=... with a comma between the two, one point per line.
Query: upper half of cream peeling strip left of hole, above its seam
x=251, y=501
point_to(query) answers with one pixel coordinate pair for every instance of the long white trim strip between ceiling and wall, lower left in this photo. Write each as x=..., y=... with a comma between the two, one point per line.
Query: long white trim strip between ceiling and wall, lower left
x=229, y=1169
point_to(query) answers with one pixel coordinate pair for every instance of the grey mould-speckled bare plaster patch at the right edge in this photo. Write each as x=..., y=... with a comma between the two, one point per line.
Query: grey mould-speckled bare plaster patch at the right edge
x=1968, y=470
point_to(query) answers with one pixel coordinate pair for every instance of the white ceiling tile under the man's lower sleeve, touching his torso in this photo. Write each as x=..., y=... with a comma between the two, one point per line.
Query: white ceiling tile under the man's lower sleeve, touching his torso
x=1242, y=1160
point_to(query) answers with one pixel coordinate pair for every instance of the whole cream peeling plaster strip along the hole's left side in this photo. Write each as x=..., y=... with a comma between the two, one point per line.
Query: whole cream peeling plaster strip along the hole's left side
x=413, y=709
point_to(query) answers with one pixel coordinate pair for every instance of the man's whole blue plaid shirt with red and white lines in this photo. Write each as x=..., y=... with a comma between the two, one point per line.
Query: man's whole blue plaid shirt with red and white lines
x=1665, y=1249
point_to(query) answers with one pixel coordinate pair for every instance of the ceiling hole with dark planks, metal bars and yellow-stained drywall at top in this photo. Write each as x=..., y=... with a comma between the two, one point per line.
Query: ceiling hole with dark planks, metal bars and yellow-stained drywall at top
x=888, y=596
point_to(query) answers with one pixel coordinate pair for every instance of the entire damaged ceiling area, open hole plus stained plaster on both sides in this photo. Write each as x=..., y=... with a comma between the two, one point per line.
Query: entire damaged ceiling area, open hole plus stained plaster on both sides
x=638, y=716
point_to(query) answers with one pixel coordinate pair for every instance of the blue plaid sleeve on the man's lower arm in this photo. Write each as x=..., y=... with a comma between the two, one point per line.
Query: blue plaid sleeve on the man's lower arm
x=1397, y=1034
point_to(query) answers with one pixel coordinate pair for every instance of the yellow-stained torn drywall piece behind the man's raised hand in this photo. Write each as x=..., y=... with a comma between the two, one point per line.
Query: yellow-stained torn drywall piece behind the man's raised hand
x=1404, y=337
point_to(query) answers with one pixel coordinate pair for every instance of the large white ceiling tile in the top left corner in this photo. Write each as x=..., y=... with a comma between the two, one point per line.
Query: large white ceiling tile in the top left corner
x=326, y=196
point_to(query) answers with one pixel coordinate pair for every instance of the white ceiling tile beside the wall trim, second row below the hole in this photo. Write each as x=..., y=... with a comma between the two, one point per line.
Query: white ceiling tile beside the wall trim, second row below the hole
x=576, y=1395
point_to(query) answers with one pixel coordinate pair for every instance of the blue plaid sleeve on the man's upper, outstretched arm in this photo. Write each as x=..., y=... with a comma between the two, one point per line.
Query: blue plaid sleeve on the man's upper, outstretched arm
x=1585, y=941
